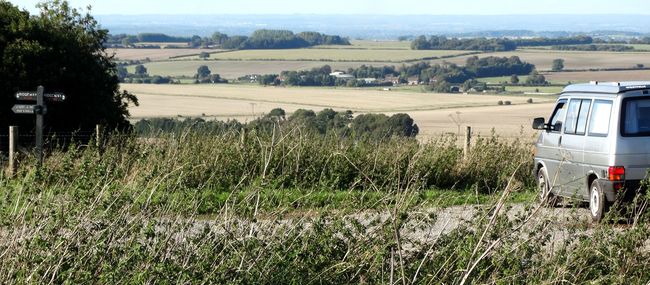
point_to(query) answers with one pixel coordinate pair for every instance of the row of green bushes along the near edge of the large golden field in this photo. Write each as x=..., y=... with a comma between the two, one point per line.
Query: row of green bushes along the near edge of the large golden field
x=327, y=121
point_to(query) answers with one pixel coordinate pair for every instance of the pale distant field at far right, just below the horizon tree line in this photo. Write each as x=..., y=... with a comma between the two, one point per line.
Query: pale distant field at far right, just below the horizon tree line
x=572, y=60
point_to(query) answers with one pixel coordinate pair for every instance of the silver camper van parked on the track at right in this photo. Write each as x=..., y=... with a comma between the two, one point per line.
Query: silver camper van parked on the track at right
x=595, y=145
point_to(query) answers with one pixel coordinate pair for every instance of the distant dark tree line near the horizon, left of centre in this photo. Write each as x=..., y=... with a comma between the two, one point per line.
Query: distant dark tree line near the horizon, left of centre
x=260, y=39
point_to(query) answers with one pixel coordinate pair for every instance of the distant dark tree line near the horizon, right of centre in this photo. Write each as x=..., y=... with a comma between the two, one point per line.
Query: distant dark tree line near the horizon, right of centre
x=491, y=44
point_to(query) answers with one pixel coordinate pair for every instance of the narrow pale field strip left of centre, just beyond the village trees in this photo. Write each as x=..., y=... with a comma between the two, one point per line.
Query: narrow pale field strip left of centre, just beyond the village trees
x=235, y=69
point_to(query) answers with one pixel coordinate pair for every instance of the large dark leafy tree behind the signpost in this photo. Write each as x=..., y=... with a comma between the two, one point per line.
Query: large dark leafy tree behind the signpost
x=62, y=50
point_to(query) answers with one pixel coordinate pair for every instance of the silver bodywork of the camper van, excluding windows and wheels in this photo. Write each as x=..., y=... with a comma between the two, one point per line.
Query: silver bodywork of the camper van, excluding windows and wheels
x=573, y=160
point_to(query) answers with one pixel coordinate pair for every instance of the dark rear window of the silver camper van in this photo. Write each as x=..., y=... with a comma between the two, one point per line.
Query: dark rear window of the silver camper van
x=636, y=114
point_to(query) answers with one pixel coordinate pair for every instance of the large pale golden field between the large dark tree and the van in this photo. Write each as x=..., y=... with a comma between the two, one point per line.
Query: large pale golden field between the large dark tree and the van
x=431, y=111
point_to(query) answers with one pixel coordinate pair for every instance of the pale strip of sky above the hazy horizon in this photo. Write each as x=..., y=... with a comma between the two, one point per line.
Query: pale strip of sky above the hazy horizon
x=380, y=7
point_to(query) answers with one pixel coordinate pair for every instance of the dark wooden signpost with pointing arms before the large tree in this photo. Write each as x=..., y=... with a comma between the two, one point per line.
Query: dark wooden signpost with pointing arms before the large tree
x=40, y=109
